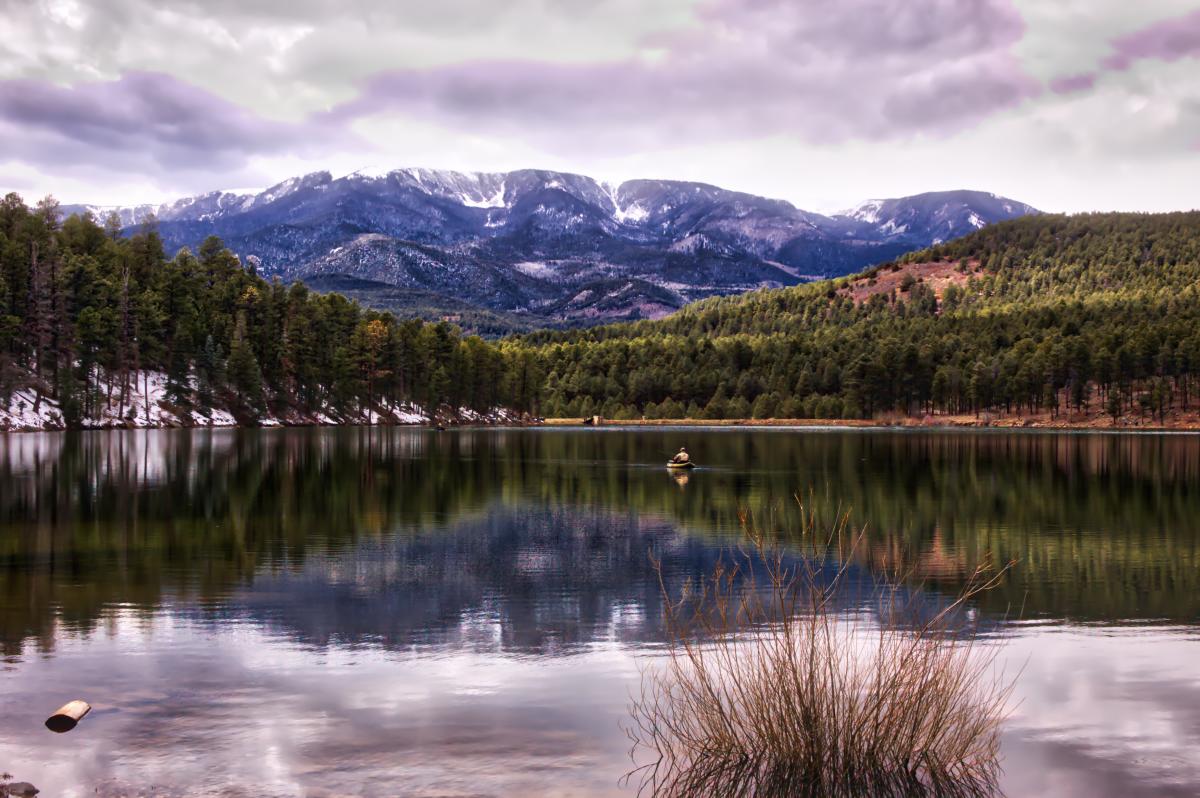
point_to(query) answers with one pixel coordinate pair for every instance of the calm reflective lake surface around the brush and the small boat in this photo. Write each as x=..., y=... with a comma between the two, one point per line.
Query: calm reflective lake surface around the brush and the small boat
x=399, y=611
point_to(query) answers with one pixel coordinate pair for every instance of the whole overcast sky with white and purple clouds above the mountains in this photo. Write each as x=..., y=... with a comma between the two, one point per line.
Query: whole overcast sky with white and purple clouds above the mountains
x=1067, y=105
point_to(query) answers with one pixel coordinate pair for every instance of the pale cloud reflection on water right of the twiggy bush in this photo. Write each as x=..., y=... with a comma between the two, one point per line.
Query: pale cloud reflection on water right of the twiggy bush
x=1105, y=713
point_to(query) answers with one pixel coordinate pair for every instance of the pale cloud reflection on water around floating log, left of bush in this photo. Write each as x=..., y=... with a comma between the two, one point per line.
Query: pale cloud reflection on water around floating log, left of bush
x=184, y=711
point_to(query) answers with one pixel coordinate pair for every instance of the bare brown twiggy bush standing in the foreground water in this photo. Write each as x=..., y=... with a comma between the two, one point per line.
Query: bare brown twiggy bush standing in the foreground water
x=771, y=688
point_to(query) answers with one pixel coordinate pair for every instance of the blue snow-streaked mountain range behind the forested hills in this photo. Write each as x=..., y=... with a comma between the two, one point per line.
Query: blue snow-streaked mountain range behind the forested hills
x=555, y=245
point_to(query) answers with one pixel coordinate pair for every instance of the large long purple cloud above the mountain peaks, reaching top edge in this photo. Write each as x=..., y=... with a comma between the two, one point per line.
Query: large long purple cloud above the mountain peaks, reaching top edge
x=827, y=71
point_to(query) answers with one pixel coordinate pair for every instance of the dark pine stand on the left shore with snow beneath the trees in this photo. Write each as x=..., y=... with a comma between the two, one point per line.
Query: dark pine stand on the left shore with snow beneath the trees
x=99, y=329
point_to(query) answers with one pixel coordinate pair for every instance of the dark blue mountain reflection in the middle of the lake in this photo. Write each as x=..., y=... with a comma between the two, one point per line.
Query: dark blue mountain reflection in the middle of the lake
x=513, y=580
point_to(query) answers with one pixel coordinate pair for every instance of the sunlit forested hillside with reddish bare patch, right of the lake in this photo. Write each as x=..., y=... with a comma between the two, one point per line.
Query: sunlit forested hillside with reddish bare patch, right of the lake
x=1041, y=315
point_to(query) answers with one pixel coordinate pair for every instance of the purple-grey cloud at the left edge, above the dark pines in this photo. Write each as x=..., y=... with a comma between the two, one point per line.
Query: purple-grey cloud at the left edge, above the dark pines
x=137, y=122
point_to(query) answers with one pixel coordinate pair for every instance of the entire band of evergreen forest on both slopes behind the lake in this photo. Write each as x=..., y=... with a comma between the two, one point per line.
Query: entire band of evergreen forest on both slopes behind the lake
x=1053, y=321
